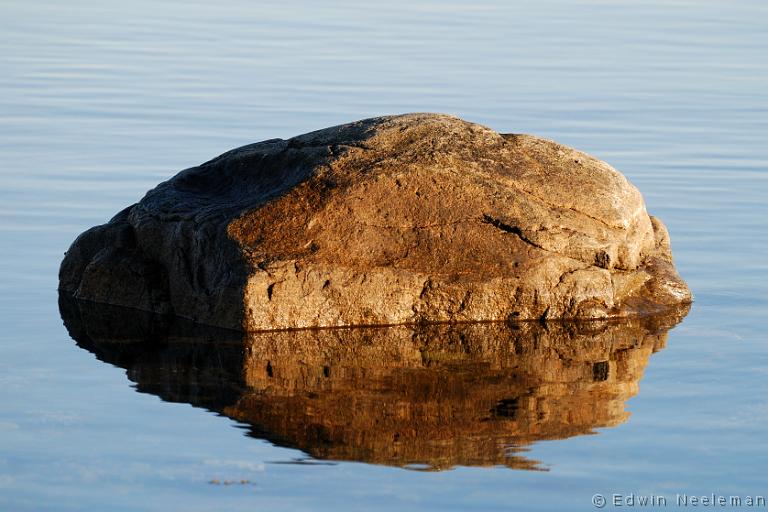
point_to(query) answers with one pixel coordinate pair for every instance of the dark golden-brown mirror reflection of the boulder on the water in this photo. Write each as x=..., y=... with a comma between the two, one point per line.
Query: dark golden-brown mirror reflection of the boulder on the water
x=436, y=396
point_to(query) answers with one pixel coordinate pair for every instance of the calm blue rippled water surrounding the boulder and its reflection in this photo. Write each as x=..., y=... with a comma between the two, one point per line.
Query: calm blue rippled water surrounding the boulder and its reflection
x=101, y=100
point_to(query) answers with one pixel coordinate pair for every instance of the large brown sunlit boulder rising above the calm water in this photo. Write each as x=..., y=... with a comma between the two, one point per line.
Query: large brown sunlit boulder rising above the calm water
x=402, y=219
